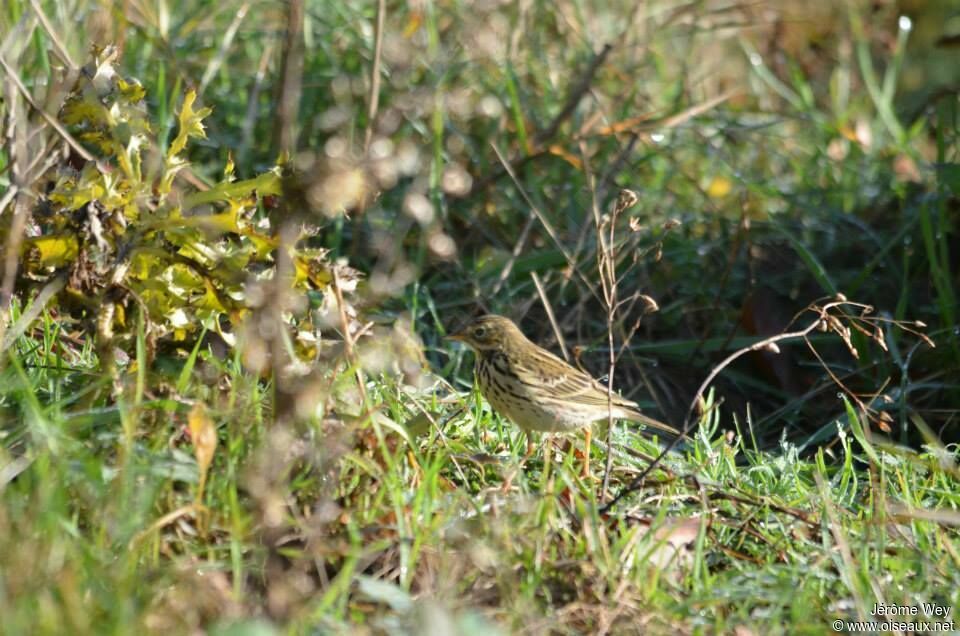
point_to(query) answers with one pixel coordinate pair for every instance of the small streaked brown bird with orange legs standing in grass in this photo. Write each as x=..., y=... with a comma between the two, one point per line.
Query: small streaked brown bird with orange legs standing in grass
x=535, y=389
